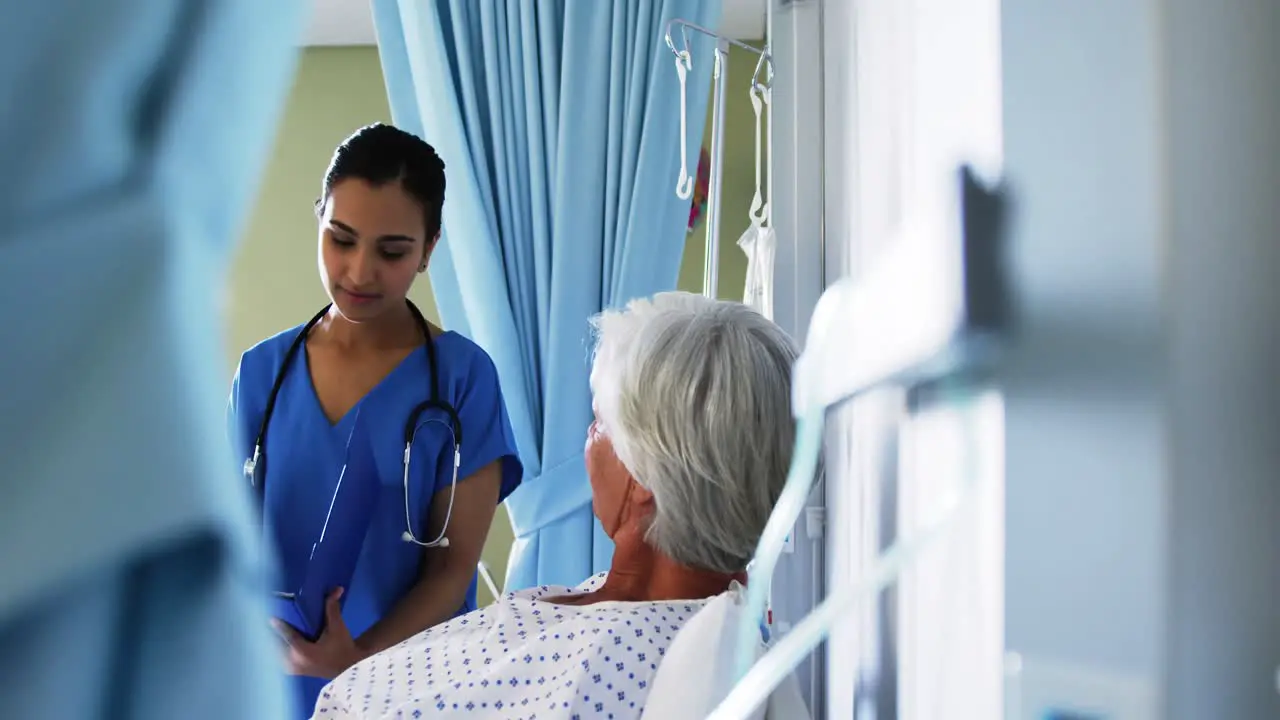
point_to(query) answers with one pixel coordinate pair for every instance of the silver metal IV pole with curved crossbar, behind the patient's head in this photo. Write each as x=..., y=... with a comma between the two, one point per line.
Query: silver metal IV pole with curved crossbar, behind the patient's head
x=711, y=271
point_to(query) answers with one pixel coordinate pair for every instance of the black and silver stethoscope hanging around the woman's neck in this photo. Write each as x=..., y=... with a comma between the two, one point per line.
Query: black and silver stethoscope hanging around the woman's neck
x=255, y=468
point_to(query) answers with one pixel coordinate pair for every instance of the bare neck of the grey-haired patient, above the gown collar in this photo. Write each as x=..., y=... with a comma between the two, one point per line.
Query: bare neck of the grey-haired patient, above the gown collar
x=642, y=575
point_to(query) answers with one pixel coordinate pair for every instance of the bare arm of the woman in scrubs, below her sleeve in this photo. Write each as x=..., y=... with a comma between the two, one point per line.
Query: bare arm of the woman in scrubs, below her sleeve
x=446, y=572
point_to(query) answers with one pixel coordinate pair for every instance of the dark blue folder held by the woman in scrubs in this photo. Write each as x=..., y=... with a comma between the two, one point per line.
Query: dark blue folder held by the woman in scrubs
x=337, y=550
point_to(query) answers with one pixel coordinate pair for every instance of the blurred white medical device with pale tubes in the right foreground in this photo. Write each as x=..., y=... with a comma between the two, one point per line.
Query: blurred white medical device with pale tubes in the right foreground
x=854, y=345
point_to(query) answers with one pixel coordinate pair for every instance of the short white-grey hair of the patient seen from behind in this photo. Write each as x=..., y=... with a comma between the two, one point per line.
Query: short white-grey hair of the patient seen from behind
x=696, y=397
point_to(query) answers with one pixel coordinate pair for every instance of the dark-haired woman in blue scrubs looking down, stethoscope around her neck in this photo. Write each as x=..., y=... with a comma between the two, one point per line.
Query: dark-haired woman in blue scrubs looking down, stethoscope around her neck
x=371, y=354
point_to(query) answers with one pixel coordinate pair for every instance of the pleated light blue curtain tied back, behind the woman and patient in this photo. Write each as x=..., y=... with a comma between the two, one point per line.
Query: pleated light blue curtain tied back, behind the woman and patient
x=559, y=124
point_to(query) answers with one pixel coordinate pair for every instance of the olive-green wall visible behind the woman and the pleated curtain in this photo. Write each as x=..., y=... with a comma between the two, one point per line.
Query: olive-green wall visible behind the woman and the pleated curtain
x=275, y=281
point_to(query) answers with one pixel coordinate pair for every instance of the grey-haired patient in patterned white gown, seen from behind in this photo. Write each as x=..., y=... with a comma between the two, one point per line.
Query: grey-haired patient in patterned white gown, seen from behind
x=687, y=457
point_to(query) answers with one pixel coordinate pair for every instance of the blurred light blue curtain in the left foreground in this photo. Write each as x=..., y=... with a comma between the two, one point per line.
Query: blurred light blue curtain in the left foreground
x=131, y=142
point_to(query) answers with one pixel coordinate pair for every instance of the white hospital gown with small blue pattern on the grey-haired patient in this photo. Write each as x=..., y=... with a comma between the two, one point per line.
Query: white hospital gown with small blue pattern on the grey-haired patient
x=519, y=659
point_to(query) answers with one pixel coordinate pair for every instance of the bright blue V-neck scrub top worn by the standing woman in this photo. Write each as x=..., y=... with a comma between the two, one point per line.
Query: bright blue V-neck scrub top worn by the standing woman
x=305, y=453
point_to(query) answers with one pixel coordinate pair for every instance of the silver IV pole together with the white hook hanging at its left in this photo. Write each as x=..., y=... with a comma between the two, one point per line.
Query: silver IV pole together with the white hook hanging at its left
x=684, y=186
